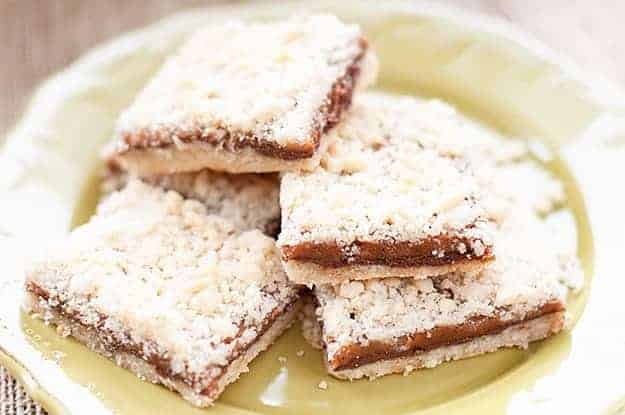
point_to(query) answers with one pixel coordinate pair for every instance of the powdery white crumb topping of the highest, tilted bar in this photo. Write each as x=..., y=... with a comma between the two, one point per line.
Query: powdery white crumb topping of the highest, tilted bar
x=268, y=79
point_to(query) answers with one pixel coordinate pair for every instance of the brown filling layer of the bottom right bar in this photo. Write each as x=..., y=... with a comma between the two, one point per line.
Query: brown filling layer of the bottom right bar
x=355, y=355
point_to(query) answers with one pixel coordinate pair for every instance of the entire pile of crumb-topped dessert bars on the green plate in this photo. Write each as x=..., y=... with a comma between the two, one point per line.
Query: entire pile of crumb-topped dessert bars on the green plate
x=406, y=235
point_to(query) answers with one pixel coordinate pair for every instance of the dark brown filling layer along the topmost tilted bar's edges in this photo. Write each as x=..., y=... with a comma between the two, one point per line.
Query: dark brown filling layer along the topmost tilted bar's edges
x=337, y=101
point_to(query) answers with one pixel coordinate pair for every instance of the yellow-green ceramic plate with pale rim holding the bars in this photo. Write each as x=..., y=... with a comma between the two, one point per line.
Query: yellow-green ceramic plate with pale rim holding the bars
x=487, y=69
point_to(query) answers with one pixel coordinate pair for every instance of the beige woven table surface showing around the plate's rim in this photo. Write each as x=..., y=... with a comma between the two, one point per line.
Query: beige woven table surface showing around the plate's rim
x=40, y=38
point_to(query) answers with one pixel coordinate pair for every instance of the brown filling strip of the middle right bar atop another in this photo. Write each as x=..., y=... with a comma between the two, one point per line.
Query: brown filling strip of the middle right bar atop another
x=436, y=251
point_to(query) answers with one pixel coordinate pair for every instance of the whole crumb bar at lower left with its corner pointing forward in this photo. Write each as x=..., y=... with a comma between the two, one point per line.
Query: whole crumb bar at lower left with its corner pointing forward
x=177, y=296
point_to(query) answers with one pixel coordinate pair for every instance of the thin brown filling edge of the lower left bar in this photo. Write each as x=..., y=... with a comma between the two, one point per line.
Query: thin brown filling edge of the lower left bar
x=162, y=364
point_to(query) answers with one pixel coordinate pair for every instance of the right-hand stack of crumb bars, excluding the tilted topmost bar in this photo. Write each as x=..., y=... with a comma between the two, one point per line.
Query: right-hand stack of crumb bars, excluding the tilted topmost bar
x=422, y=237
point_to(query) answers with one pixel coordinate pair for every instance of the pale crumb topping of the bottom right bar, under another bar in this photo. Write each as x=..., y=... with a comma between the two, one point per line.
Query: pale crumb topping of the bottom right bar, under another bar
x=526, y=274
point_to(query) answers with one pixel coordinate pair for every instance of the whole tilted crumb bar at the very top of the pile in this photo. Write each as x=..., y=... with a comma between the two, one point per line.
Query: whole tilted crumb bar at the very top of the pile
x=246, y=97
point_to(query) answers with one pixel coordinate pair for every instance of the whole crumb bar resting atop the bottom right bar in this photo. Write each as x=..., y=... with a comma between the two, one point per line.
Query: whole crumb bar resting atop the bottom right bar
x=394, y=196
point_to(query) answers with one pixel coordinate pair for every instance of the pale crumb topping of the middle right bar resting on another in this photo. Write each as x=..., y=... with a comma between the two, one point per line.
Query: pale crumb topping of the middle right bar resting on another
x=398, y=169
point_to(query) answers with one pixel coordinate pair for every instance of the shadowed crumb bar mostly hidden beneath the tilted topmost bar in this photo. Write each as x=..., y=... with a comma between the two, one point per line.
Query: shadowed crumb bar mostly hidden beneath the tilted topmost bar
x=248, y=201
